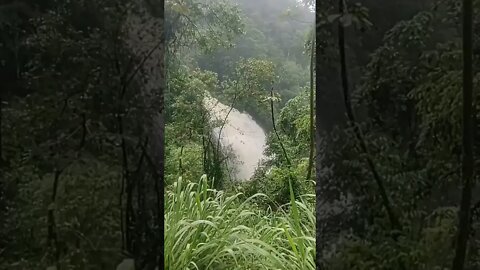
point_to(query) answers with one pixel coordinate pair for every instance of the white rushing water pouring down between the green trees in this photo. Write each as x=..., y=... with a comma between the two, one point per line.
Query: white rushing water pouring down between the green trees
x=241, y=134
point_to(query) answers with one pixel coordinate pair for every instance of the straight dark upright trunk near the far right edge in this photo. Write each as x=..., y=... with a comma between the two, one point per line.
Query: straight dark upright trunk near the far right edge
x=468, y=163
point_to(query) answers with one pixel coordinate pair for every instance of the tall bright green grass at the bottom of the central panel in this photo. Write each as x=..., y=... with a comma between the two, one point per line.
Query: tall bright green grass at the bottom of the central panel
x=209, y=229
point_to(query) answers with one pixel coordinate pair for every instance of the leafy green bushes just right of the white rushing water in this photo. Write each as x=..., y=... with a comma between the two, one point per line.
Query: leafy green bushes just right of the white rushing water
x=273, y=177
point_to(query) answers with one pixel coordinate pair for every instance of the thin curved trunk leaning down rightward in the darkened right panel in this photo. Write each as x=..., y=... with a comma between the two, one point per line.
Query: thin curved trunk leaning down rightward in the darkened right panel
x=352, y=122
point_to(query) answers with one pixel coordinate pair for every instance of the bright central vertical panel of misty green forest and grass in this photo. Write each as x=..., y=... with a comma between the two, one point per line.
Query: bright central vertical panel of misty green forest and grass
x=249, y=58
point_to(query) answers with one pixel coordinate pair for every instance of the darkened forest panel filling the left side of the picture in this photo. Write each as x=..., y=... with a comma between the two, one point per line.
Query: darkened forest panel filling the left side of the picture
x=81, y=127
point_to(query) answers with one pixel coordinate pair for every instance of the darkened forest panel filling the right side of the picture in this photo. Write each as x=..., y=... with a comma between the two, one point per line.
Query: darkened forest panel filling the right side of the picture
x=396, y=170
